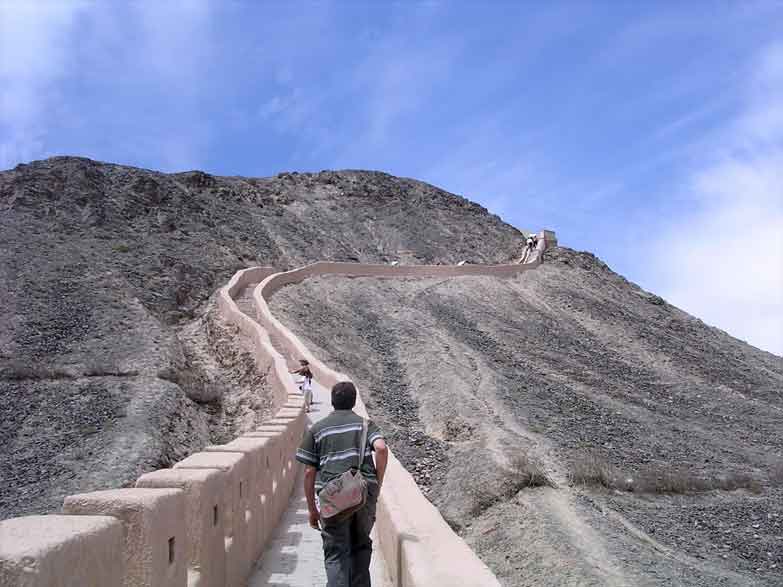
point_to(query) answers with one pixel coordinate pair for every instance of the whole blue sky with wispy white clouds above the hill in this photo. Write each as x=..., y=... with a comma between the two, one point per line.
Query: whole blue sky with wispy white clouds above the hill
x=648, y=133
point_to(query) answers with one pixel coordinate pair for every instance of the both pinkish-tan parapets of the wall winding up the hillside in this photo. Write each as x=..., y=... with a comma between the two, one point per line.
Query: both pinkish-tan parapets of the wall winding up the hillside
x=205, y=521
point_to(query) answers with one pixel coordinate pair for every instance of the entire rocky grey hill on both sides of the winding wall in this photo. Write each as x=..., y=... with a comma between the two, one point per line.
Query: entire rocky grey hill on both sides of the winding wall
x=575, y=429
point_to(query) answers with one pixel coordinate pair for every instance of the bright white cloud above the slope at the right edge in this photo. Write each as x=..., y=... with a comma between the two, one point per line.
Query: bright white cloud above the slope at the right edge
x=724, y=263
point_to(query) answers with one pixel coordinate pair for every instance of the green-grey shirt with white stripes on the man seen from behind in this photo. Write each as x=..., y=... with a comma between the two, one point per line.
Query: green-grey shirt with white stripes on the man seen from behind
x=332, y=446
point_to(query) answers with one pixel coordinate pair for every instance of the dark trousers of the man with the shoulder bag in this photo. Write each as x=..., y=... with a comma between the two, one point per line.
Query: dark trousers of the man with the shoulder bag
x=348, y=547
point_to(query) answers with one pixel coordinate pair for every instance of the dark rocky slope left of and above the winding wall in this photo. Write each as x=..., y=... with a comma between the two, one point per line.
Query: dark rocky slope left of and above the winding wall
x=111, y=362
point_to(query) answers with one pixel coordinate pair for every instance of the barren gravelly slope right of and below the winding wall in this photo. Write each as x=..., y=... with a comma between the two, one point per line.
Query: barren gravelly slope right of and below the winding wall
x=662, y=437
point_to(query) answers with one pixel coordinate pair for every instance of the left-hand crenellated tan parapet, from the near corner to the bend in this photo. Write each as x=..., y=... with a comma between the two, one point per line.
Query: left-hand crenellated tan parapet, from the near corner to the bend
x=202, y=523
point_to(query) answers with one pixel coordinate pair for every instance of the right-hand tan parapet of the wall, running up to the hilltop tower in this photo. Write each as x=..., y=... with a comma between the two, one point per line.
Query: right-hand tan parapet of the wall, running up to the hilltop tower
x=419, y=548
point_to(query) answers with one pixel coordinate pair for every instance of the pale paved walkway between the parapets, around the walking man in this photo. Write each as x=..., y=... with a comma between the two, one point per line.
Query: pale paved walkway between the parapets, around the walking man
x=294, y=557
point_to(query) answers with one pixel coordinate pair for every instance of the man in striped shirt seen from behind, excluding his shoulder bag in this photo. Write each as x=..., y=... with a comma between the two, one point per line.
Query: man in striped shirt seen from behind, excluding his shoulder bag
x=329, y=449
